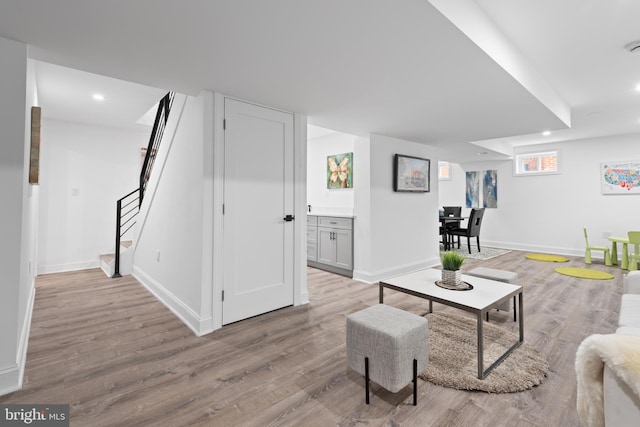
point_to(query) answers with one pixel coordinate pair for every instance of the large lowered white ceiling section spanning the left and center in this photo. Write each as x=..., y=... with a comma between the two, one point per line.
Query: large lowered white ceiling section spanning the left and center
x=361, y=66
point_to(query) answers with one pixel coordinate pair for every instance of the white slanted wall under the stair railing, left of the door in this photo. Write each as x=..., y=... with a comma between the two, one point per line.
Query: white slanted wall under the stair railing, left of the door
x=168, y=254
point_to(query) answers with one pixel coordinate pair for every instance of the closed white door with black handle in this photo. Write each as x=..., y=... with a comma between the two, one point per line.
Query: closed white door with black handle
x=258, y=194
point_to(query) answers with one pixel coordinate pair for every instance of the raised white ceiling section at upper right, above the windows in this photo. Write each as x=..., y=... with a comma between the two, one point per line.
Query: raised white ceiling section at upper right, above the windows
x=579, y=46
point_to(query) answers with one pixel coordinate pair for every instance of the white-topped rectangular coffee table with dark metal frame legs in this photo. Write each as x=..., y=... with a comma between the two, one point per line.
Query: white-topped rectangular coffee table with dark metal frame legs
x=485, y=295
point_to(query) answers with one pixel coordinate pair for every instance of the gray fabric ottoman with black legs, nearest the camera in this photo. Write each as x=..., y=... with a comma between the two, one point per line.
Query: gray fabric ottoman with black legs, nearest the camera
x=387, y=345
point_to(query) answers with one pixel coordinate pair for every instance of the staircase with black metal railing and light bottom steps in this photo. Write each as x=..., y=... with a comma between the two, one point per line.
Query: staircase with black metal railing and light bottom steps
x=121, y=262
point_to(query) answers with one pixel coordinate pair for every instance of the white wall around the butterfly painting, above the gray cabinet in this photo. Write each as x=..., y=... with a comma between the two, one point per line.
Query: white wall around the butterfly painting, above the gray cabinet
x=321, y=199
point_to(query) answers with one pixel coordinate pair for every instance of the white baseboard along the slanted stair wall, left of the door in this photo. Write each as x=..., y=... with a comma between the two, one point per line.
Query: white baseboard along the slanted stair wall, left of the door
x=200, y=326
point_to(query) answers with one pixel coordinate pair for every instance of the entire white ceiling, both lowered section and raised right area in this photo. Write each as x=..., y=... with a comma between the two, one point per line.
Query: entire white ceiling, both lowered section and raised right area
x=364, y=66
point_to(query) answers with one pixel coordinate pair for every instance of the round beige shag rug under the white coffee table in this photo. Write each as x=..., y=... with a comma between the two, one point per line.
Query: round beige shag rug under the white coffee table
x=453, y=361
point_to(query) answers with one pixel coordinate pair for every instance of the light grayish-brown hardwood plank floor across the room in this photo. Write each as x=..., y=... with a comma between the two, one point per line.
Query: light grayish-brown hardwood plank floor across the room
x=120, y=358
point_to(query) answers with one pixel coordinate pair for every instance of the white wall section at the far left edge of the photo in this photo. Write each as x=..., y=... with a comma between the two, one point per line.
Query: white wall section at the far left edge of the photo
x=18, y=215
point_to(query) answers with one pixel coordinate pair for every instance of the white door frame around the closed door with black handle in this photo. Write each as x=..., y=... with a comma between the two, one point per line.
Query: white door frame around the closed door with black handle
x=300, y=293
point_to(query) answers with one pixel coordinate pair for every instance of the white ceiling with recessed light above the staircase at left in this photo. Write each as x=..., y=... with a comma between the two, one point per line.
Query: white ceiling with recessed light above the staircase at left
x=67, y=94
